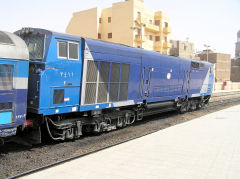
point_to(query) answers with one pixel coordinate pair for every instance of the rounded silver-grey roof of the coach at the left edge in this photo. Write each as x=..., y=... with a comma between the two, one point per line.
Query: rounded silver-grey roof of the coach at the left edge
x=12, y=47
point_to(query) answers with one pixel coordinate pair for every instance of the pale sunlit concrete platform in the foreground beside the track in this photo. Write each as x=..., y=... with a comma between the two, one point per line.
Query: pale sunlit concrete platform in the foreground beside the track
x=204, y=148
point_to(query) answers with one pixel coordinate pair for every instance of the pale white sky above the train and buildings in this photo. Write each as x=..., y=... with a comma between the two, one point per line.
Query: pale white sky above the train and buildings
x=211, y=22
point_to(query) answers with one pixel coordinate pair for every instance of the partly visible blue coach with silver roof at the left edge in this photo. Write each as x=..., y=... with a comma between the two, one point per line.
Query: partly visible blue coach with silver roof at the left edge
x=13, y=83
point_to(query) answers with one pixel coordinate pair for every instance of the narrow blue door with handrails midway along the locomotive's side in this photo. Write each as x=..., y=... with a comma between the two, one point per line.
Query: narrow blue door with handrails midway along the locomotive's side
x=145, y=82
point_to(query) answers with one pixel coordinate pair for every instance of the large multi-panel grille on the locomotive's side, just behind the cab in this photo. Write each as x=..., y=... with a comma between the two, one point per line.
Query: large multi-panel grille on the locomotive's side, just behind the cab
x=102, y=88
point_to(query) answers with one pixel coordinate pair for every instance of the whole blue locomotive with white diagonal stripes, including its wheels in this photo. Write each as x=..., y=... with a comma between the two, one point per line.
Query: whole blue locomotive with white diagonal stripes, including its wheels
x=78, y=84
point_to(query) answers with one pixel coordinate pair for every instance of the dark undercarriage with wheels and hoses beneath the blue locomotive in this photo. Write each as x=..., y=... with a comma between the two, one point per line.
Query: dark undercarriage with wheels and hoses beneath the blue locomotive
x=73, y=126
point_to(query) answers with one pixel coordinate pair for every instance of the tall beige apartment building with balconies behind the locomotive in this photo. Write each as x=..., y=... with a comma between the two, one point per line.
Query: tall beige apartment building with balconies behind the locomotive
x=127, y=22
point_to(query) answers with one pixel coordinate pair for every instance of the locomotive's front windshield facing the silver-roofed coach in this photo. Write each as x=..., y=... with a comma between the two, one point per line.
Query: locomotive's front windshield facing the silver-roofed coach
x=35, y=43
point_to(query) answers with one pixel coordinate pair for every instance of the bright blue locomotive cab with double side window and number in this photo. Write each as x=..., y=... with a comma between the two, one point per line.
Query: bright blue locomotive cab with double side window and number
x=55, y=71
